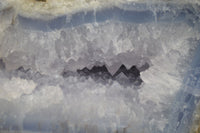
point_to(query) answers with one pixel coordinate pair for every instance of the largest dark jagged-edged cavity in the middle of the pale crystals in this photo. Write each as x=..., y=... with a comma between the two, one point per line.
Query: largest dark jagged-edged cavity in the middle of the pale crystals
x=100, y=73
